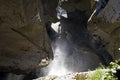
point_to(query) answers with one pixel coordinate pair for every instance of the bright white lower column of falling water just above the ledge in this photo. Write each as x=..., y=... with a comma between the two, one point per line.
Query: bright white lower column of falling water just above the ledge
x=57, y=66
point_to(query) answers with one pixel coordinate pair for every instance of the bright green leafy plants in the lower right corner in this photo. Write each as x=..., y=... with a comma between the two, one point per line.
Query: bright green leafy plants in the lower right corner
x=105, y=73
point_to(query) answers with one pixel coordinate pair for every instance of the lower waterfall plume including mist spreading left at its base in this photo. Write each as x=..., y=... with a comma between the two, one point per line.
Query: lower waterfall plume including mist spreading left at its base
x=57, y=66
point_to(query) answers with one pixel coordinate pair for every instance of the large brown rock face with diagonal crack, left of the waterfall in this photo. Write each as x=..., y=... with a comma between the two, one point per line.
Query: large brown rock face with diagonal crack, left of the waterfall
x=23, y=37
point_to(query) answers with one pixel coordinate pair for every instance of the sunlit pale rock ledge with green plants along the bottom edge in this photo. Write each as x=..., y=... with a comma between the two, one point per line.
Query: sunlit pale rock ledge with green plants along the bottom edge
x=108, y=73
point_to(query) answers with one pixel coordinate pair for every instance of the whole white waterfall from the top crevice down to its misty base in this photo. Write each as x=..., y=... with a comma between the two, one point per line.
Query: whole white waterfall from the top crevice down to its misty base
x=57, y=66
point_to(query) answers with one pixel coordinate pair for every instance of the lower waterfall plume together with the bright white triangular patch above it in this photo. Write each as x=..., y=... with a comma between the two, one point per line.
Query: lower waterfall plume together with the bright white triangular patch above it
x=59, y=46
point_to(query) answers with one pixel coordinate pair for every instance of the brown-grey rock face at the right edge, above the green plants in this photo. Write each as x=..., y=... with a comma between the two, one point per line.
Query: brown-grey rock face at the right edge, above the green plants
x=106, y=26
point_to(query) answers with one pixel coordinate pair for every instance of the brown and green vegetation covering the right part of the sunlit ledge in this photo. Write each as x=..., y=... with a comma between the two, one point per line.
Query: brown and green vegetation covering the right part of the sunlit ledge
x=102, y=73
